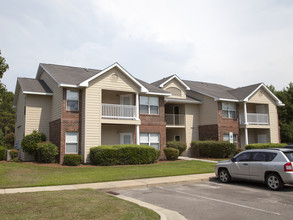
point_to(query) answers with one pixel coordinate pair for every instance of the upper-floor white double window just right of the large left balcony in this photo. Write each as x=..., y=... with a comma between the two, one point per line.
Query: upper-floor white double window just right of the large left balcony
x=149, y=105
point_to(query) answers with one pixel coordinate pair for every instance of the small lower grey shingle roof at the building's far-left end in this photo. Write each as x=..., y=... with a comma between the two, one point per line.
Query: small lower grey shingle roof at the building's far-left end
x=34, y=86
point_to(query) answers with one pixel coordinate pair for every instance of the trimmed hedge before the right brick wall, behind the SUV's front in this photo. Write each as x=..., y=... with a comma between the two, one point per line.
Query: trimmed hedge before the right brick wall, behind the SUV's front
x=212, y=149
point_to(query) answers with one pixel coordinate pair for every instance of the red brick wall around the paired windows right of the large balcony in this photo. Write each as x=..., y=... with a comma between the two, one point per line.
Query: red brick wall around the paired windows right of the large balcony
x=155, y=124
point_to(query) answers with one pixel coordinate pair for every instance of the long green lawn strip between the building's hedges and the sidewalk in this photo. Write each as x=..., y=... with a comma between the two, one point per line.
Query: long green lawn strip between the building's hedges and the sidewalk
x=23, y=175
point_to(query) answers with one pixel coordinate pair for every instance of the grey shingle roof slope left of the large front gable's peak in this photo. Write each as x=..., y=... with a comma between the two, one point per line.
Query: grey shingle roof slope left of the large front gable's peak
x=68, y=74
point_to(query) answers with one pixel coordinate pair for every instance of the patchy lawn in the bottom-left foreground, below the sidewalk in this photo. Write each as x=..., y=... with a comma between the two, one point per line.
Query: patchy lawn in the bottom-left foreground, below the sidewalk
x=74, y=204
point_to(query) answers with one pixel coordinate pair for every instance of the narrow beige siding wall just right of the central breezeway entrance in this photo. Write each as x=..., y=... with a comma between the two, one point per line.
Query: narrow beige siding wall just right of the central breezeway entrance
x=191, y=125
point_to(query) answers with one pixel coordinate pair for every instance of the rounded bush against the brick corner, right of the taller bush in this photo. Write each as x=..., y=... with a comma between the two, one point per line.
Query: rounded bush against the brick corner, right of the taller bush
x=47, y=152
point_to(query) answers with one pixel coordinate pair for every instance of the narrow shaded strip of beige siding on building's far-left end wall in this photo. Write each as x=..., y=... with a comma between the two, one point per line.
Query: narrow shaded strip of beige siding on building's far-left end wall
x=20, y=122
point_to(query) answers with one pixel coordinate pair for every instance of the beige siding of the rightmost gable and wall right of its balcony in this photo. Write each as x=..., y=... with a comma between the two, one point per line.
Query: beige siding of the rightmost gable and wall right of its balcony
x=262, y=97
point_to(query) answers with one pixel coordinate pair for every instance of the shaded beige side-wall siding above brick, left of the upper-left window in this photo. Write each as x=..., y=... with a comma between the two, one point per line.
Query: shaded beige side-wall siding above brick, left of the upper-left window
x=56, y=110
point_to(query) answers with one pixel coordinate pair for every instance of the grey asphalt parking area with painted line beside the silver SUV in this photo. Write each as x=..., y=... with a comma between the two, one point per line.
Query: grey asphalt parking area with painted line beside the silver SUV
x=214, y=200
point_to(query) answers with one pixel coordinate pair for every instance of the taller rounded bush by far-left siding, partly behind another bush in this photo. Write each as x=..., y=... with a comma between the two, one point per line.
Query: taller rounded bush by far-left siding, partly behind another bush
x=30, y=142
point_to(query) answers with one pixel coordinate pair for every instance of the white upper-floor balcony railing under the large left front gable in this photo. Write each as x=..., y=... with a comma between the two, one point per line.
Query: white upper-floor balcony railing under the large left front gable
x=123, y=112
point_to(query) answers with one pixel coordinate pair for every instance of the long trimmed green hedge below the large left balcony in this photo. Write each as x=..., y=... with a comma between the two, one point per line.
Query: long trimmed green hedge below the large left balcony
x=123, y=154
